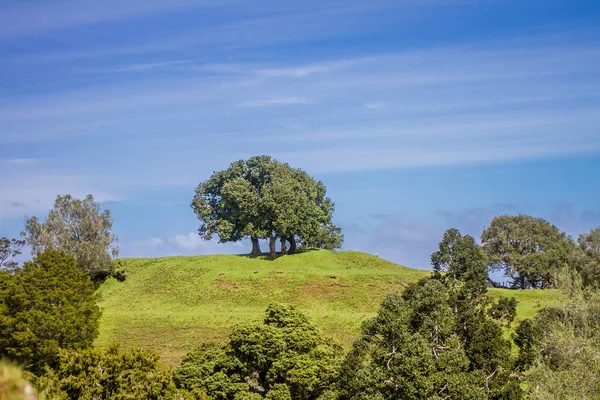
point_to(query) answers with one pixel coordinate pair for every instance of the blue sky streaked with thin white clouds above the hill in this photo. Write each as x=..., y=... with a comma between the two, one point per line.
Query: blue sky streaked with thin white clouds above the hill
x=417, y=115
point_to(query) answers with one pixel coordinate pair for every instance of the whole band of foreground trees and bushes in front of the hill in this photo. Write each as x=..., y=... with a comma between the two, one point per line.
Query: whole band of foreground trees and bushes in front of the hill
x=442, y=337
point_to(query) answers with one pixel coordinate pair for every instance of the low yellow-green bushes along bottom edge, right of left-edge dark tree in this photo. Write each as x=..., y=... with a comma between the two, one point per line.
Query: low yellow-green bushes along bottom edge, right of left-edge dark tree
x=110, y=374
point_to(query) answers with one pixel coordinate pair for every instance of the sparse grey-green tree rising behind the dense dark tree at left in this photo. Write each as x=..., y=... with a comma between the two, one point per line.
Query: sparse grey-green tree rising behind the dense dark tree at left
x=77, y=227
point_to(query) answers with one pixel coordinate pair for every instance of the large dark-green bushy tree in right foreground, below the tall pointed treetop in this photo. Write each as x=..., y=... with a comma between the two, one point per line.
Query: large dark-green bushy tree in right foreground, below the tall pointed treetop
x=418, y=347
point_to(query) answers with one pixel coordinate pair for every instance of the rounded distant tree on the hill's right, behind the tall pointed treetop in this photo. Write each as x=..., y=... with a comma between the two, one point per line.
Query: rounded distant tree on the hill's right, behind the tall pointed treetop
x=529, y=250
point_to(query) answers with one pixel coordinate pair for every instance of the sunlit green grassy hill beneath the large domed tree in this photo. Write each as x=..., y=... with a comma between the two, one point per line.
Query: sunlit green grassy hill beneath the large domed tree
x=172, y=304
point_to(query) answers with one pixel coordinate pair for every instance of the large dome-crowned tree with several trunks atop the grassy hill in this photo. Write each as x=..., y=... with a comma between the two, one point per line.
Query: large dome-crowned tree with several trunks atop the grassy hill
x=262, y=198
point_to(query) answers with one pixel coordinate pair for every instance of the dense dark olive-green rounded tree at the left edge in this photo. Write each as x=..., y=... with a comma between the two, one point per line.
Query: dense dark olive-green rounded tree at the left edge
x=46, y=305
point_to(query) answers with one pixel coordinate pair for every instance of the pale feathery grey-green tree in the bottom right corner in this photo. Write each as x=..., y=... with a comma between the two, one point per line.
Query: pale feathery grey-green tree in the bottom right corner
x=563, y=345
